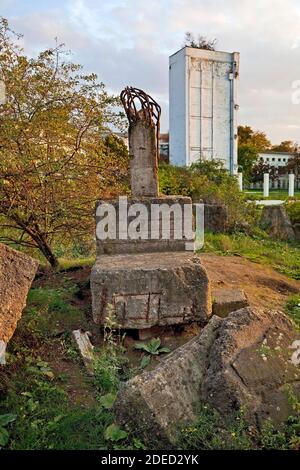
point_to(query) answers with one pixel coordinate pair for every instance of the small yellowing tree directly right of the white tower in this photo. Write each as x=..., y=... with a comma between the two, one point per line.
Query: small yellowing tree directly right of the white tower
x=250, y=143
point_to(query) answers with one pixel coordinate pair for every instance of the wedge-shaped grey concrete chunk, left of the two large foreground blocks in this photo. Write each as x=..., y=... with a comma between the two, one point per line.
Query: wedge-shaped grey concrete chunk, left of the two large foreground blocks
x=158, y=403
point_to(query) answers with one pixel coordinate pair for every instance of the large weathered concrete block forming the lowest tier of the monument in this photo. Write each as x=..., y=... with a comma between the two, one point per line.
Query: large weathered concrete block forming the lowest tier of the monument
x=148, y=290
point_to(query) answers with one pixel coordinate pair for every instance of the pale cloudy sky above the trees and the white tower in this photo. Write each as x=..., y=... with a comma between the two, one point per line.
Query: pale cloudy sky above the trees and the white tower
x=128, y=42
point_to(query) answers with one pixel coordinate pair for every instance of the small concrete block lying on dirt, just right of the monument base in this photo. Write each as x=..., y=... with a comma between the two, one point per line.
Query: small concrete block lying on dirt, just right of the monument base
x=226, y=301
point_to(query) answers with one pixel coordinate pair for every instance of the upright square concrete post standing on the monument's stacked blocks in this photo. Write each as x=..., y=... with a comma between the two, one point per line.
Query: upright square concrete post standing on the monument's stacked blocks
x=143, y=155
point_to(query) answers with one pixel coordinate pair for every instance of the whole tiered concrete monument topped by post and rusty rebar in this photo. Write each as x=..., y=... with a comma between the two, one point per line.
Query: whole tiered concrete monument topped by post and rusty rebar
x=143, y=271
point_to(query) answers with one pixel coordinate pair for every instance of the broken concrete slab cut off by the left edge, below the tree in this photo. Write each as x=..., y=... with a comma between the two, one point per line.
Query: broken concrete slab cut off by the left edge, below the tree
x=17, y=272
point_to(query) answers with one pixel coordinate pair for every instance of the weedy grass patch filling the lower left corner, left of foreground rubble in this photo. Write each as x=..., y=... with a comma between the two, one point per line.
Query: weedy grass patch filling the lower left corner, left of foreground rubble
x=47, y=416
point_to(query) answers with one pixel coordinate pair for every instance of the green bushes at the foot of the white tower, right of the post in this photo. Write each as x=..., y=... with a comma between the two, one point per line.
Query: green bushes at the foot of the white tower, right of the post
x=210, y=182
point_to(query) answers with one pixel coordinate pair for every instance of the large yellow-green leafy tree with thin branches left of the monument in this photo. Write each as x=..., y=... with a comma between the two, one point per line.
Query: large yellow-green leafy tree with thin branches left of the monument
x=54, y=159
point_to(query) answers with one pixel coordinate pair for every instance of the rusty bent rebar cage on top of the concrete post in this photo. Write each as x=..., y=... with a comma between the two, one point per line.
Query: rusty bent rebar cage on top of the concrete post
x=139, y=105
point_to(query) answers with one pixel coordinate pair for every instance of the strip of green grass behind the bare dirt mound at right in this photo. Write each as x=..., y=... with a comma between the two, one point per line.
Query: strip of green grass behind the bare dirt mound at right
x=281, y=256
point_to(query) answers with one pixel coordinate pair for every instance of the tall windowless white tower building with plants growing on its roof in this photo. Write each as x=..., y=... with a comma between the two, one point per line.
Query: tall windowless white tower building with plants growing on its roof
x=203, y=106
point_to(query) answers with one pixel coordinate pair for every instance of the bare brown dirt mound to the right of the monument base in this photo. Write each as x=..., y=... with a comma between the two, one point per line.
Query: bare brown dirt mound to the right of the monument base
x=263, y=286
